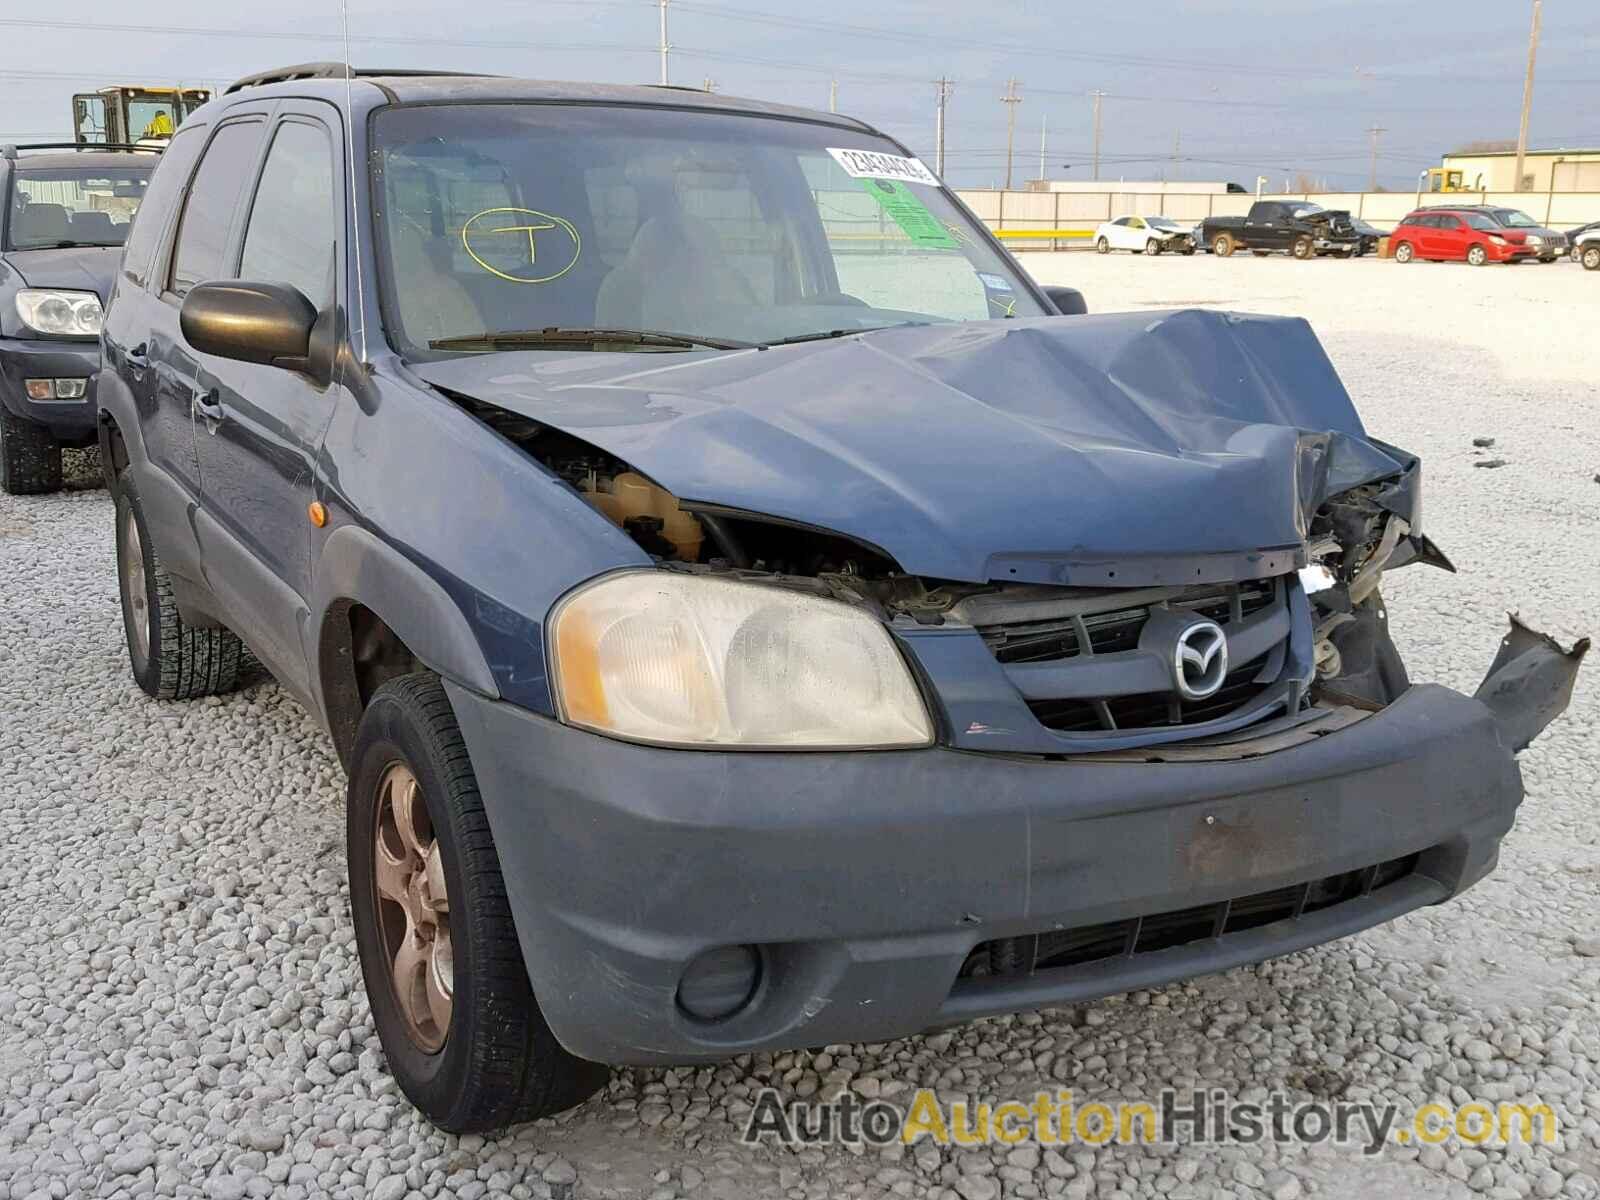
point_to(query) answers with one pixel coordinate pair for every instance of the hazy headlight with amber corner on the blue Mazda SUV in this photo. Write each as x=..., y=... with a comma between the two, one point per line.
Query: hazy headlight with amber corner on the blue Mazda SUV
x=684, y=660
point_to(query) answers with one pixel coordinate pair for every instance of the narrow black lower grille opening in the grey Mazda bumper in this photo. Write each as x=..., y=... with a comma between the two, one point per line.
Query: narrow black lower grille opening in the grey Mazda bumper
x=1180, y=927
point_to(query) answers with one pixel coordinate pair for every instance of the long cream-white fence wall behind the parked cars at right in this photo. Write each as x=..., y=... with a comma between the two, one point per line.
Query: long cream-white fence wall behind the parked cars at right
x=1071, y=217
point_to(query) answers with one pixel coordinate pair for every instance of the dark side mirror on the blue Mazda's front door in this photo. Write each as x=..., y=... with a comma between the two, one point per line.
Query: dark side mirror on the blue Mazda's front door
x=268, y=324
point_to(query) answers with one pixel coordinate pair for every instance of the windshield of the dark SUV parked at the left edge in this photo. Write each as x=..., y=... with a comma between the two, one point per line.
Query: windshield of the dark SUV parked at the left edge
x=74, y=207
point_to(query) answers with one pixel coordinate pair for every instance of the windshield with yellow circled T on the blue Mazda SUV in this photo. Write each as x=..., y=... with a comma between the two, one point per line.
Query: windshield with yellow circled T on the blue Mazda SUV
x=505, y=218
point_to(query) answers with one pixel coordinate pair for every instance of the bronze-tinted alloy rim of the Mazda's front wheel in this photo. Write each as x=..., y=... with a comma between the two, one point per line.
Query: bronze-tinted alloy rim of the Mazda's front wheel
x=414, y=908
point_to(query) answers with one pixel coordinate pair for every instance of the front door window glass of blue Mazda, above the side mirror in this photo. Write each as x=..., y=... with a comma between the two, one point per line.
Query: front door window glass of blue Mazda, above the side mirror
x=292, y=222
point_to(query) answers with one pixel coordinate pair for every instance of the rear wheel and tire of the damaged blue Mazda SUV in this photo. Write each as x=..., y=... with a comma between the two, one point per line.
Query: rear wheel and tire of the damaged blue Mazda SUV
x=170, y=660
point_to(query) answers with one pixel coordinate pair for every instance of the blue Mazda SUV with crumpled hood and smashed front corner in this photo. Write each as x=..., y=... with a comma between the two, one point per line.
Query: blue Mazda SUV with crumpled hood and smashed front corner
x=750, y=612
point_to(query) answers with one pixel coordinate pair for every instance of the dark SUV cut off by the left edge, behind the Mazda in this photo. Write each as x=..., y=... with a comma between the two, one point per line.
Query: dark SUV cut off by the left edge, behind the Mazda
x=63, y=218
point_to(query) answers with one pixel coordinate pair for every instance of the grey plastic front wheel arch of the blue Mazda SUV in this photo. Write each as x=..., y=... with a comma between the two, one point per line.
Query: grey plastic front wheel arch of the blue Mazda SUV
x=378, y=615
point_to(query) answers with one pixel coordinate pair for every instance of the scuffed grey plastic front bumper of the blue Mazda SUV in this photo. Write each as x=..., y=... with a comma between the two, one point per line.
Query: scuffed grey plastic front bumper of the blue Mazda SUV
x=868, y=879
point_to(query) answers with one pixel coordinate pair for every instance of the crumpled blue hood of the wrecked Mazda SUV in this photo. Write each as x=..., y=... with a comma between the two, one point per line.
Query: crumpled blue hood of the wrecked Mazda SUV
x=1084, y=450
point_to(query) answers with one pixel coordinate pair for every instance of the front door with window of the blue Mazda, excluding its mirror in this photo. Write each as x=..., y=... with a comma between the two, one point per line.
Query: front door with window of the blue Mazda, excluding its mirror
x=258, y=428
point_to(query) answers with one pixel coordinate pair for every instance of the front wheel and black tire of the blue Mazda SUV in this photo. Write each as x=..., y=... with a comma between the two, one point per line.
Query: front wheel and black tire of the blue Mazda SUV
x=444, y=970
